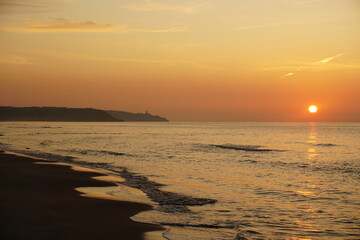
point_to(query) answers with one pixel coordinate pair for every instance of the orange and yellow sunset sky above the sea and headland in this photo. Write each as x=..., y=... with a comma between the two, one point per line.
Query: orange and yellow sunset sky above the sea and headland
x=198, y=60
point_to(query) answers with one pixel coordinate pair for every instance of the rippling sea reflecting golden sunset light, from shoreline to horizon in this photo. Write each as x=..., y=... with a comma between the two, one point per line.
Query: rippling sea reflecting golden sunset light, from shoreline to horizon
x=219, y=180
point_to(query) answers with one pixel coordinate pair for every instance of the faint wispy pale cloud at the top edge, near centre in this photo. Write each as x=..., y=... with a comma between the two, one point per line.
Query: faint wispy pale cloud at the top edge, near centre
x=152, y=6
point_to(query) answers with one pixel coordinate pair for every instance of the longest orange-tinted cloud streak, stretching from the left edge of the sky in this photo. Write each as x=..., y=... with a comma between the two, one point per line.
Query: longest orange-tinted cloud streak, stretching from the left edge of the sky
x=65, y=25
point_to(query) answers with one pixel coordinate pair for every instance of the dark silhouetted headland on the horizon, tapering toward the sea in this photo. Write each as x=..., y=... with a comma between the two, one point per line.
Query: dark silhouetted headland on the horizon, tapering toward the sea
x=63, y=114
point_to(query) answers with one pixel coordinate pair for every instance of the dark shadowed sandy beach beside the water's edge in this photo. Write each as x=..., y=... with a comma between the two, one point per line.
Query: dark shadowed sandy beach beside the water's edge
x=40, y=201
